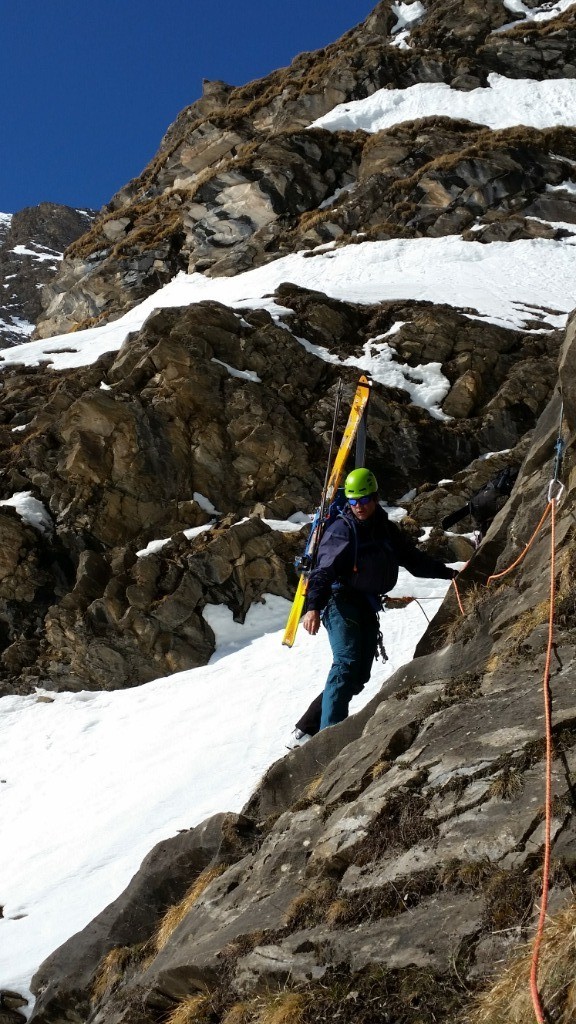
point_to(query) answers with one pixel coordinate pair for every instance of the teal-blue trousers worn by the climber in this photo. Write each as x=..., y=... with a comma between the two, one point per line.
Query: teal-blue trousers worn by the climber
x=353, y=631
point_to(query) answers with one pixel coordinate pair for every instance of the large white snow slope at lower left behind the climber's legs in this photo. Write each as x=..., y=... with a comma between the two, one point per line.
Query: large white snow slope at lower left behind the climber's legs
x=91, y=782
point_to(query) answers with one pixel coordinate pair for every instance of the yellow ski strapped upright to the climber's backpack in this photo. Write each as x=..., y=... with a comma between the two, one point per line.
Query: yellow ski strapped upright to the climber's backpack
x=334, y=479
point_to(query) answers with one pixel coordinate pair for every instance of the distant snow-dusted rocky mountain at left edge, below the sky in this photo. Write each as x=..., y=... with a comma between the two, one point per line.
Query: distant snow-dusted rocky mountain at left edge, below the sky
x=32, y=243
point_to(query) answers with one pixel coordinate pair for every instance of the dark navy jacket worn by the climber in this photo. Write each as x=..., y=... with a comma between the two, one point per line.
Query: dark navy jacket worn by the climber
x=363, y=559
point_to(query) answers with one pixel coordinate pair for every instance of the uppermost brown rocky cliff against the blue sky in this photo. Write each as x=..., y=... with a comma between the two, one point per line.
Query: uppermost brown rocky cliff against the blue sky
x=241, y=179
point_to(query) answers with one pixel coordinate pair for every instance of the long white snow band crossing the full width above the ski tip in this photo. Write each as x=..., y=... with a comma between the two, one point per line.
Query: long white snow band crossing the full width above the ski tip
x=498, y=280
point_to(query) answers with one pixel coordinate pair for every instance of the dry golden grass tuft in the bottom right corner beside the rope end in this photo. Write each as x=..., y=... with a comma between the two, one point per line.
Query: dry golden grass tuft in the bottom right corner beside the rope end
x=510, y=1000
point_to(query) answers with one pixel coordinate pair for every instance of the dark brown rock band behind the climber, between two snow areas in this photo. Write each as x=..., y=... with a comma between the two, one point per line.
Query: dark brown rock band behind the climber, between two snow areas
x=212, y=410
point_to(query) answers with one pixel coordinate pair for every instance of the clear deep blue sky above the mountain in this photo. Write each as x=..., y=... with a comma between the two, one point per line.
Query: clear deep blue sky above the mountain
x=89, y=88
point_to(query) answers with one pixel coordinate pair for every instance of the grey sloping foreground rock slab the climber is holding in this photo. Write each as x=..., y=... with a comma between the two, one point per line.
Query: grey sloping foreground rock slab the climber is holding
x=355, y=847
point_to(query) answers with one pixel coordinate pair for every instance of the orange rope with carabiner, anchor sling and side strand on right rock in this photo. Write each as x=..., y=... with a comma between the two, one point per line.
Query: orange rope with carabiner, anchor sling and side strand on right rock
x=556, y=491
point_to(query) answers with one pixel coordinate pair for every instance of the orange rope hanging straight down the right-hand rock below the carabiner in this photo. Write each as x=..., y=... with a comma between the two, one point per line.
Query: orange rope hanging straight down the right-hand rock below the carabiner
x=549, y=798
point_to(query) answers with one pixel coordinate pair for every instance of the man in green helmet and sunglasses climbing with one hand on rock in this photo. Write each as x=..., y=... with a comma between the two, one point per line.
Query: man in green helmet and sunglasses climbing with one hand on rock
x=358, y=563
